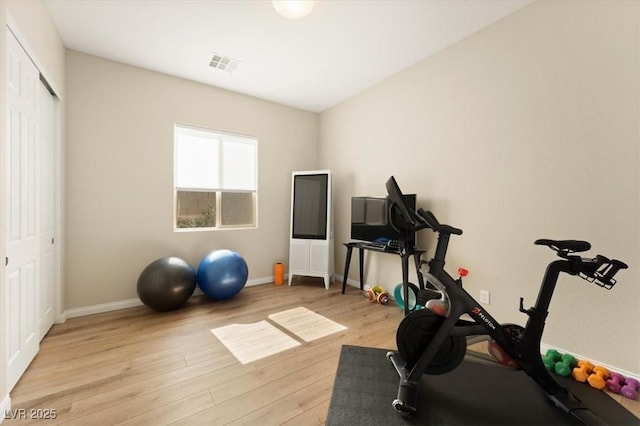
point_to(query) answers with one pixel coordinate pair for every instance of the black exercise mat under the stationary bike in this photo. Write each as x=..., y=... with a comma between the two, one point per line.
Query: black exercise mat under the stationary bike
x=473, y=394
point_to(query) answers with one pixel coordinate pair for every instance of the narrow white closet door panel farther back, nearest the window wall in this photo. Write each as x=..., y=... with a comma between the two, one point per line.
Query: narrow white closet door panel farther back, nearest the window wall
x=47, y=136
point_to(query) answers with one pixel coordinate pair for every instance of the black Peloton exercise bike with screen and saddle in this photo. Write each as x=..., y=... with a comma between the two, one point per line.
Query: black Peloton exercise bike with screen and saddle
x=434, y=340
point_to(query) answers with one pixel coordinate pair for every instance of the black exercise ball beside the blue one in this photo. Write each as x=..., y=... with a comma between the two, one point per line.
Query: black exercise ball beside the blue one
x=166, y=284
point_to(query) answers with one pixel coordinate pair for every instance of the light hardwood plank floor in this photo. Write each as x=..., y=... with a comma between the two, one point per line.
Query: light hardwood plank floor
x=136, y=366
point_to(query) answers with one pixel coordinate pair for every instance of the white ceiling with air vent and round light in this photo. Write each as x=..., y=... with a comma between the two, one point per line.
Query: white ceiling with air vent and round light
x=342, y=48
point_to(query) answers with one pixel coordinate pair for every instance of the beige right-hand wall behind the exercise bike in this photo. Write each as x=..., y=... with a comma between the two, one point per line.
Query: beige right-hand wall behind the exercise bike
x=528, y=129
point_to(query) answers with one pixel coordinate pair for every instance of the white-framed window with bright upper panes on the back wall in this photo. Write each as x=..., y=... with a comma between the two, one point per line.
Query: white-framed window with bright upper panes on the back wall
x=215, y=179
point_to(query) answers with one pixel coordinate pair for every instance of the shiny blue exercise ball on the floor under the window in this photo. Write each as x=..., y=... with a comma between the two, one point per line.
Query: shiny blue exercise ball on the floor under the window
x=222, y=274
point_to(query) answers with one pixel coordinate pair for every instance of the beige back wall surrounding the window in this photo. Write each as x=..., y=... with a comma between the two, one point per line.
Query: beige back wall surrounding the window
x=119, y=167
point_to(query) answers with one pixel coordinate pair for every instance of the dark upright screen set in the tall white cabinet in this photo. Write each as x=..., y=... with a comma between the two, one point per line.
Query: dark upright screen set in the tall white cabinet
x=310, y=206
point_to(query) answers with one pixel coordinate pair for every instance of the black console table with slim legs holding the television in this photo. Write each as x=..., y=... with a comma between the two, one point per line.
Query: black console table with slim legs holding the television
x=404, y=255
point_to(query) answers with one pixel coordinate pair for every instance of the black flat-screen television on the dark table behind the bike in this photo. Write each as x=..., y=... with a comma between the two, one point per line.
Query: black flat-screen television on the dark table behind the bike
x=370, y=219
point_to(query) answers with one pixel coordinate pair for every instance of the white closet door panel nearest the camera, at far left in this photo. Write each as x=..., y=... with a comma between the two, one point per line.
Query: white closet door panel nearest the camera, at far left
x=22, y=215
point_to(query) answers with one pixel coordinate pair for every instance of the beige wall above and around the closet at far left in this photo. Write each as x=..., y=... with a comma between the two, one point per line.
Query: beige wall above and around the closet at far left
x=32, y=24
